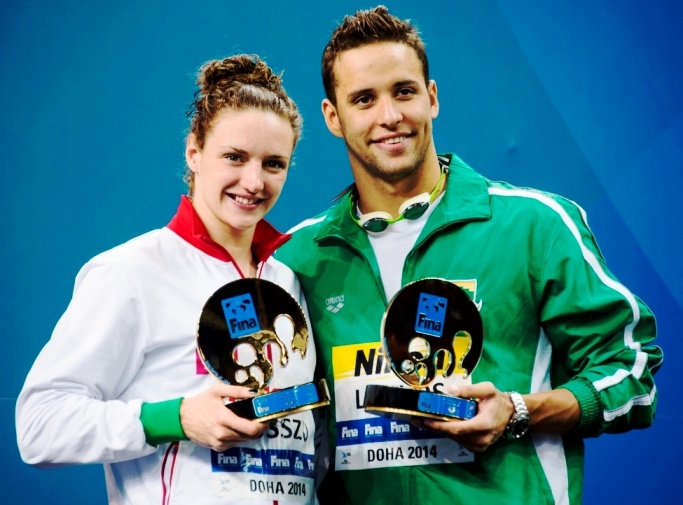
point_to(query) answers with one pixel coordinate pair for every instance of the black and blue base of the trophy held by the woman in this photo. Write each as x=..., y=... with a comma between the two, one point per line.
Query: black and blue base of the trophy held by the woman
x=283, y=402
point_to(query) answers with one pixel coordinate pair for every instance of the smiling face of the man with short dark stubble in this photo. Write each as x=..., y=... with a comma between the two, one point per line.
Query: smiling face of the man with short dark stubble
x=384, y=110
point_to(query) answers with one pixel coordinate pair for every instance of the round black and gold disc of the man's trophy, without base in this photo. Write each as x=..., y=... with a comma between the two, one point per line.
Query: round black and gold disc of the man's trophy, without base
x=431, y=328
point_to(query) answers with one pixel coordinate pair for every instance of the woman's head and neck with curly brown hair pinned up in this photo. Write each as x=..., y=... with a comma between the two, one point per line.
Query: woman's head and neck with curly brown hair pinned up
x=243, y=131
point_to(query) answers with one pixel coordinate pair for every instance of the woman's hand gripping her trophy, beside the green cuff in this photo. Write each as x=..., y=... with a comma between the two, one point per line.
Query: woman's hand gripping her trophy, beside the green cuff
x=206, y=421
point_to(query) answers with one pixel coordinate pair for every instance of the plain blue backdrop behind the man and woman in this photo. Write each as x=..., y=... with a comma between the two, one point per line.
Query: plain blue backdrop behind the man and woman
x=578, y=97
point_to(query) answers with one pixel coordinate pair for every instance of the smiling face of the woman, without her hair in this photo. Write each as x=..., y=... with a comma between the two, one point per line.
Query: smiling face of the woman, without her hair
x=239, y=173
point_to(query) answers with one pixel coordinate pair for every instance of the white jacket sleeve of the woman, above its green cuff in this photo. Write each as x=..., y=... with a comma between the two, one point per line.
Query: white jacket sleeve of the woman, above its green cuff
x=68, y=411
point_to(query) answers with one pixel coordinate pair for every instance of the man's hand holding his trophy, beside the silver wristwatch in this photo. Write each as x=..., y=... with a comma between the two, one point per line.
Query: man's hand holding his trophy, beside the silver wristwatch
x=494, y=410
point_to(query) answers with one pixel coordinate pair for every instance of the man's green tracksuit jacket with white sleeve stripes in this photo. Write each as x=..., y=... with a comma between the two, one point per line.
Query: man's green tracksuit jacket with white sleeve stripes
x=553, y=316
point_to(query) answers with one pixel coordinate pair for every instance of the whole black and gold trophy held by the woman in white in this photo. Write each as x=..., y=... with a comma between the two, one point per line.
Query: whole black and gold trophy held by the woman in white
x=236, y=323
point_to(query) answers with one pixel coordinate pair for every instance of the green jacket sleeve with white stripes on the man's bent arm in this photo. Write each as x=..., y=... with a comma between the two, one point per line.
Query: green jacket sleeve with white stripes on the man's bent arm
x=601, y=333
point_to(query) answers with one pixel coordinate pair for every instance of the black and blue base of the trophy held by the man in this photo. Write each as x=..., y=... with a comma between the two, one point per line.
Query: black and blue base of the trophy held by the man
x=404, y=403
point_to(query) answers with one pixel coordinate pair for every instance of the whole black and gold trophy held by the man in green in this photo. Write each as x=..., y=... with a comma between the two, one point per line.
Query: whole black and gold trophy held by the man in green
x=431, y=328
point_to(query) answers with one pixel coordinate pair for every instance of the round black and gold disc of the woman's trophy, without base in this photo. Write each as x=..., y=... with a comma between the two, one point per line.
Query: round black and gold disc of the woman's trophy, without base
x=244, y=312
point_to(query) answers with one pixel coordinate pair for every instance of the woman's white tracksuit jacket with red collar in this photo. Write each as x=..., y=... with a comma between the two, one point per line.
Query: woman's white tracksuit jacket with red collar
x=129, y=336
